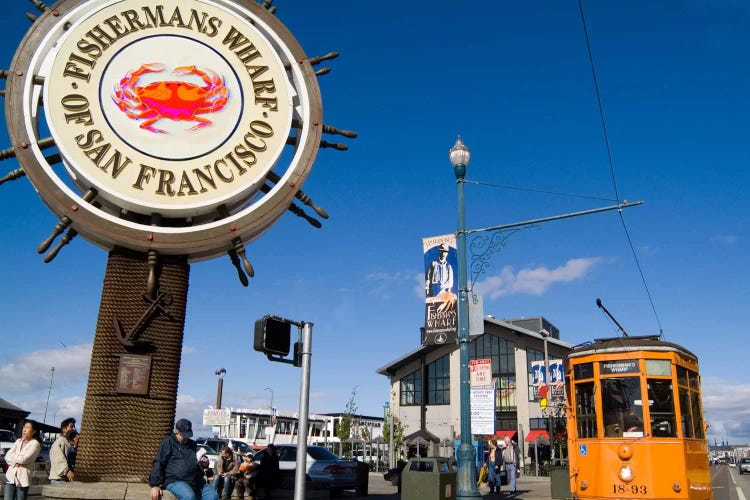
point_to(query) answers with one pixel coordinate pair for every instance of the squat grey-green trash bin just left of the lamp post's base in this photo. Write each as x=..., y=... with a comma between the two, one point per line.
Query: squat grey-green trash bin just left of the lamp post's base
x=428, y=478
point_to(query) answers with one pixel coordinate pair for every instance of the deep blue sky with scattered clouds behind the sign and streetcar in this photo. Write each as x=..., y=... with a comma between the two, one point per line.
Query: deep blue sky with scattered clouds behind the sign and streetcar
x=514, y=79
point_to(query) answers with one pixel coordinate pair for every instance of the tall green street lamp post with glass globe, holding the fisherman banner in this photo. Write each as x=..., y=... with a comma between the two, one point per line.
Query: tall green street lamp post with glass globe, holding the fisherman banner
x=466, y=485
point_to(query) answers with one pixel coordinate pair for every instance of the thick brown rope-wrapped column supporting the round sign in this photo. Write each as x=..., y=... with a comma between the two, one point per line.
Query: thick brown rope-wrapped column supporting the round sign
x=121, y=432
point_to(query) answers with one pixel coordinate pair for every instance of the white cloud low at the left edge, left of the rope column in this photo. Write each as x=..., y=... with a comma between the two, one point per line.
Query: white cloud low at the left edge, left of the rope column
x=29, y=372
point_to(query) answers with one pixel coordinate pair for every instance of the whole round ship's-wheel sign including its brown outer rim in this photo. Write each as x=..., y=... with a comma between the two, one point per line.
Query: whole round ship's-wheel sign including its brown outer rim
x=170, y=115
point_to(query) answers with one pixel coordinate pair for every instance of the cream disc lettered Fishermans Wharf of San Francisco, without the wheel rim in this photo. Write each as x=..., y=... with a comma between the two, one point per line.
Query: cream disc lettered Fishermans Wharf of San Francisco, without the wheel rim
x=149, y=106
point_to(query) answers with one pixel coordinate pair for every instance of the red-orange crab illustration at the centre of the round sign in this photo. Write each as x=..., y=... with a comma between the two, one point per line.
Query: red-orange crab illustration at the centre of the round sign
x=173, y=99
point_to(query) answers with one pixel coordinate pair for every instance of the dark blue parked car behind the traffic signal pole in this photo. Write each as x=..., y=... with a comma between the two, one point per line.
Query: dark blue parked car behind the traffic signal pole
x=323, y=467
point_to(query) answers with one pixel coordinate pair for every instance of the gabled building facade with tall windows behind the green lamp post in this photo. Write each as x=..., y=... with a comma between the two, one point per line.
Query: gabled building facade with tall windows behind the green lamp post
x=425, y=394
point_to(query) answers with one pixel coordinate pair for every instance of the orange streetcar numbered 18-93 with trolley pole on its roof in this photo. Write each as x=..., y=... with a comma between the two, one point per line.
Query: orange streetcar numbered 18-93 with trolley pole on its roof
x=635, y=421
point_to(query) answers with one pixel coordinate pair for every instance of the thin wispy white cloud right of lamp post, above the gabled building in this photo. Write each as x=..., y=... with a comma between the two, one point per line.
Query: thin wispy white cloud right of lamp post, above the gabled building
x=534, y=281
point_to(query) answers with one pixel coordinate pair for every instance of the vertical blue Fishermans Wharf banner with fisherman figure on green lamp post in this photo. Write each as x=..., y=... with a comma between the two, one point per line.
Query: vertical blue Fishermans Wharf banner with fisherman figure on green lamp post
x=441, y=289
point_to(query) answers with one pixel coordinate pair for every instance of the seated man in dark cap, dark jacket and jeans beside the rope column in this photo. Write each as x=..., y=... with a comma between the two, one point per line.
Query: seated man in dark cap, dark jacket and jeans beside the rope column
x=176, y=467
